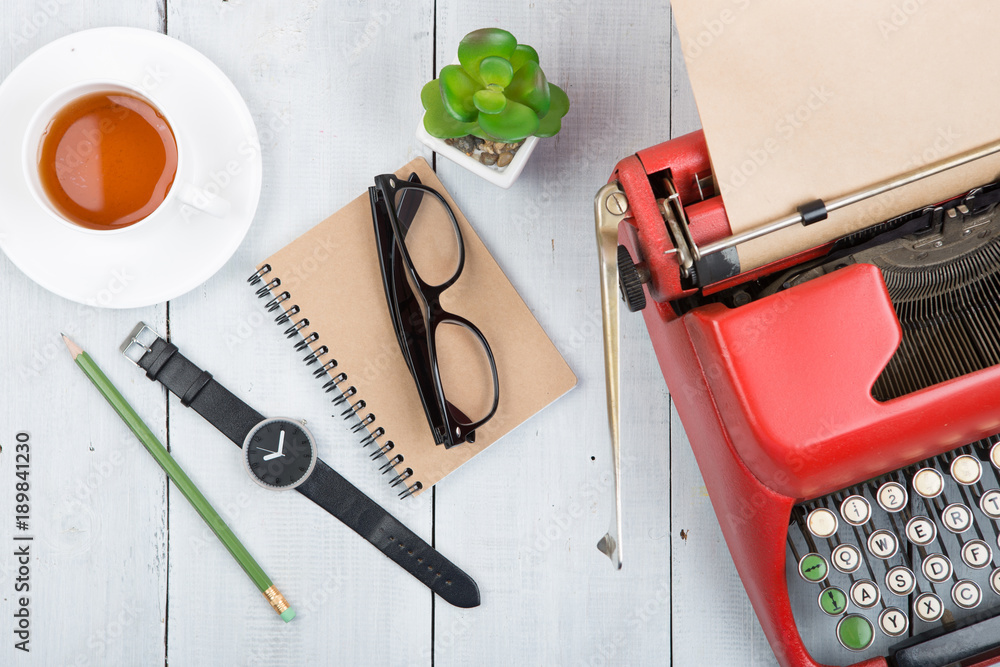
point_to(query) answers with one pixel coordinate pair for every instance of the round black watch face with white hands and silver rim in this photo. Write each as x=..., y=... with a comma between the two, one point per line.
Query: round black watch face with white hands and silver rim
x=279, y=453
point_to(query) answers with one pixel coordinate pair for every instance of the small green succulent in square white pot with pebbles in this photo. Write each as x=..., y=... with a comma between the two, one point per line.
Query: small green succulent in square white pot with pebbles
x=492, y=106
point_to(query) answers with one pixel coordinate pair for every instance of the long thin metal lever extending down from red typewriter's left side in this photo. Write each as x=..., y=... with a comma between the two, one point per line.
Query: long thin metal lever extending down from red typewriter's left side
x=610, y=208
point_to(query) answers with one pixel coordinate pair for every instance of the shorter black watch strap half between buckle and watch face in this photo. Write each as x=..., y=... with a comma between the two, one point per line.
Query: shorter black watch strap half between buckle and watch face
x=198, y=390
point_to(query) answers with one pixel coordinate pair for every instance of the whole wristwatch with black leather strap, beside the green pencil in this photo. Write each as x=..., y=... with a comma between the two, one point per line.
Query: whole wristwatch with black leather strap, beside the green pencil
x=280, y=454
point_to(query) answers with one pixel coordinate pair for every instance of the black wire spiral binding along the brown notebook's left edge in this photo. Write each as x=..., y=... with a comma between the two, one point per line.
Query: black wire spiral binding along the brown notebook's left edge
x=334, y=383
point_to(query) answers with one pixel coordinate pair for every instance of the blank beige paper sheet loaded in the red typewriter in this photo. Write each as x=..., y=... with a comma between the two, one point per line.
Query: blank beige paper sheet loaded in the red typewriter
x=806, y=100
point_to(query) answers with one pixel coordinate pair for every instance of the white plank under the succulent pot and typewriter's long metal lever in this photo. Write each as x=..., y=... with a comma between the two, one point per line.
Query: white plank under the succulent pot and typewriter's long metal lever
x=526, y=515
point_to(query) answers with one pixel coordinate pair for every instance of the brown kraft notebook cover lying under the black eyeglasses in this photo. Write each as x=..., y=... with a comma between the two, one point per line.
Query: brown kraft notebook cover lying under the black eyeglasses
x=326, y=290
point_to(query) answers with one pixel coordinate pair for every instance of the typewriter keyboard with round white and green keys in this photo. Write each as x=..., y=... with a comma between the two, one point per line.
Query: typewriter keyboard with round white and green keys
x=909, y=552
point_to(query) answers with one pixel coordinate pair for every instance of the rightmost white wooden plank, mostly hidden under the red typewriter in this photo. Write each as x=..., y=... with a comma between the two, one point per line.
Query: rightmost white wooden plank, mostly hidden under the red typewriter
x=707, y=590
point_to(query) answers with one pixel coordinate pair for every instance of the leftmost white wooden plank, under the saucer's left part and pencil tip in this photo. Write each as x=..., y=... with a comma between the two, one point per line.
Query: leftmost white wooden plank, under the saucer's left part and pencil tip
x=97, y=500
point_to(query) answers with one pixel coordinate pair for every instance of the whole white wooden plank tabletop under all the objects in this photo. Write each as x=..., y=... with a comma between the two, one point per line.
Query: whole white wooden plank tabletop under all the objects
x=123, y=570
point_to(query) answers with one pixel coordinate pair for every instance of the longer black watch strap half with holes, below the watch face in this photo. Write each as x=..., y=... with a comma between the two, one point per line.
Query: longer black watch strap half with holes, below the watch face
x=328, y=489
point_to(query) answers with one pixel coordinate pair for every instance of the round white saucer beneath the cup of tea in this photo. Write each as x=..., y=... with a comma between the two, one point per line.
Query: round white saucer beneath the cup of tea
x=172, y=254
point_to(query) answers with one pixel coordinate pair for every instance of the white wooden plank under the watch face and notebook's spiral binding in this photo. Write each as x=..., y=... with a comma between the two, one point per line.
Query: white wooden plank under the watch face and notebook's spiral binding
x=332, y=89
